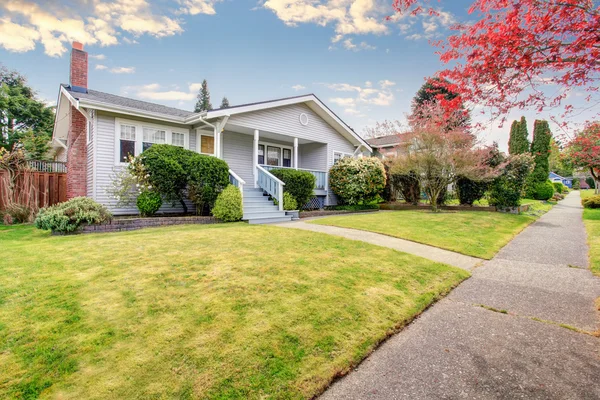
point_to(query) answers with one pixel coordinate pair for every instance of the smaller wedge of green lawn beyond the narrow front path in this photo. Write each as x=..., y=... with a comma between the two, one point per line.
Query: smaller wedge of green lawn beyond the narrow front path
x=475, y=233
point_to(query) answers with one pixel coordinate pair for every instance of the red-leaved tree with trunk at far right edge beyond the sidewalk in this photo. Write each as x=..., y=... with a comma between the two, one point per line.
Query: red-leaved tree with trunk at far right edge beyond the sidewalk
x=584, y=151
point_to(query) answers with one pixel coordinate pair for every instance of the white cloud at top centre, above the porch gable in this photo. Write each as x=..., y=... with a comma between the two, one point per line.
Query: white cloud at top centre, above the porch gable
x=356, y=17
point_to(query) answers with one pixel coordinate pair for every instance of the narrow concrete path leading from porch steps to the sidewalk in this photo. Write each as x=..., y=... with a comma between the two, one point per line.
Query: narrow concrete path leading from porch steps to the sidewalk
x=422, y=250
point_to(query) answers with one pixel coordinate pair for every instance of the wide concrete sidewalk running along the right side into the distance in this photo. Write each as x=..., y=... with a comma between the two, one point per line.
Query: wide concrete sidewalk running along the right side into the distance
x=498, y=335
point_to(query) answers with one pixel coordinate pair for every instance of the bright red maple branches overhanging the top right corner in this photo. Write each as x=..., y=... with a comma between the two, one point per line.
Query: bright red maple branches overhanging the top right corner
x=517, y=48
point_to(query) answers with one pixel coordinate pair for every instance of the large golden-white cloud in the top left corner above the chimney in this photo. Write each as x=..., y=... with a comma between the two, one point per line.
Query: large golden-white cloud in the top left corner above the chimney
x=92, y=22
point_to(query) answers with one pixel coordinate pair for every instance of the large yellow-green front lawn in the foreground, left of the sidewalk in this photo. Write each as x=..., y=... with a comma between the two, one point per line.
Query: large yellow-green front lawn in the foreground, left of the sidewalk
x=218, y=311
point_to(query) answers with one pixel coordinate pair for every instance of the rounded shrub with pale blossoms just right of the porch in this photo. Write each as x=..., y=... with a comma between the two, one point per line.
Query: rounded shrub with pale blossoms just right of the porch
x=356, y=180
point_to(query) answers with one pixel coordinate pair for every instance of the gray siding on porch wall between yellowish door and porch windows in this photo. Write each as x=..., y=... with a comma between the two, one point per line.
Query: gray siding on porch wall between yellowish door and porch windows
x=237, y=153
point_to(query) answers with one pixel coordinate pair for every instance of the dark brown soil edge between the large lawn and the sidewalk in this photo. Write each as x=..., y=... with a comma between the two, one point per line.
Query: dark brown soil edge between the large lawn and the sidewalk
x=395, y=330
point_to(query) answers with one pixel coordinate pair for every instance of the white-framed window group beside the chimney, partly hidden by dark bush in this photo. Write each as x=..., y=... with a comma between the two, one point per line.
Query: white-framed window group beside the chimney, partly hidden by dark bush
x=133, y=137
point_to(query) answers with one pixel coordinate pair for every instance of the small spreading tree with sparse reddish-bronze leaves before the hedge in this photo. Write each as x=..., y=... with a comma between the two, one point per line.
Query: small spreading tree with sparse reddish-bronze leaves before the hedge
x=439, y=150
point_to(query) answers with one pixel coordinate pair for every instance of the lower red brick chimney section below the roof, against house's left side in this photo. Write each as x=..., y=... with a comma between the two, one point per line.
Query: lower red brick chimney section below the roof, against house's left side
x=76, y=155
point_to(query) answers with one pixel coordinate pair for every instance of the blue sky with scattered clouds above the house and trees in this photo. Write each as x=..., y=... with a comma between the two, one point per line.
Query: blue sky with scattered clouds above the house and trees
x=365, y=68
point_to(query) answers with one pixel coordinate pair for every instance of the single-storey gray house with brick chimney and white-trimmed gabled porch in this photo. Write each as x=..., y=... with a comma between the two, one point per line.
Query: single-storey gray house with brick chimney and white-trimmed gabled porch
x=95, y=132
